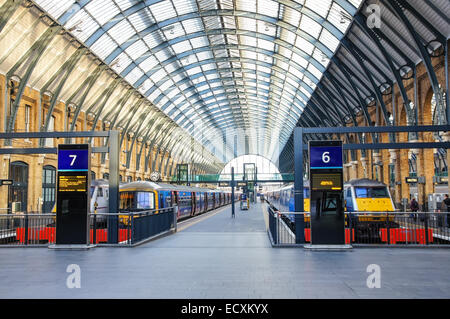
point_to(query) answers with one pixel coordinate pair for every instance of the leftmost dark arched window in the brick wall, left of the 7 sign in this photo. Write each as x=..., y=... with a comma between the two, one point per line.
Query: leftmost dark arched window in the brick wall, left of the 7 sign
x=18, y=191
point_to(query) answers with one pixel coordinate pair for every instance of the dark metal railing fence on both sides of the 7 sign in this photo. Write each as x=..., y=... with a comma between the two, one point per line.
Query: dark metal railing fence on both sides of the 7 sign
x=133, y=227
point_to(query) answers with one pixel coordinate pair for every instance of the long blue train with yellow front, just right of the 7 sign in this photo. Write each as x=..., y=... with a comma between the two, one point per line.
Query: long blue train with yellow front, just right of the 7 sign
x=191, y=201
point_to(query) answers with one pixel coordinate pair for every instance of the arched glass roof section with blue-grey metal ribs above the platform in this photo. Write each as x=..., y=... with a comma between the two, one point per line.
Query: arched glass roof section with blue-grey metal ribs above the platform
x=216, y=66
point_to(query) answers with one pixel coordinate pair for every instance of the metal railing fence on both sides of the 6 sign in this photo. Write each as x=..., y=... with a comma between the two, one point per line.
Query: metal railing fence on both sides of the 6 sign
x=370, y=228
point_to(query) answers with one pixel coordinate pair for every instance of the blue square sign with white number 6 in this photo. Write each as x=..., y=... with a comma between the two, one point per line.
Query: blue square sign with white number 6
x=325, y=157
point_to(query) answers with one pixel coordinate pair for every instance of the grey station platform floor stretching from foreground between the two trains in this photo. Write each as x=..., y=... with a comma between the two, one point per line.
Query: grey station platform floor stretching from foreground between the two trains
x=215, y=256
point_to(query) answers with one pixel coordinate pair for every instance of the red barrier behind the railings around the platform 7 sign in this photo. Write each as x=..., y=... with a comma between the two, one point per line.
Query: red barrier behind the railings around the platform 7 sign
x=48, y=234
